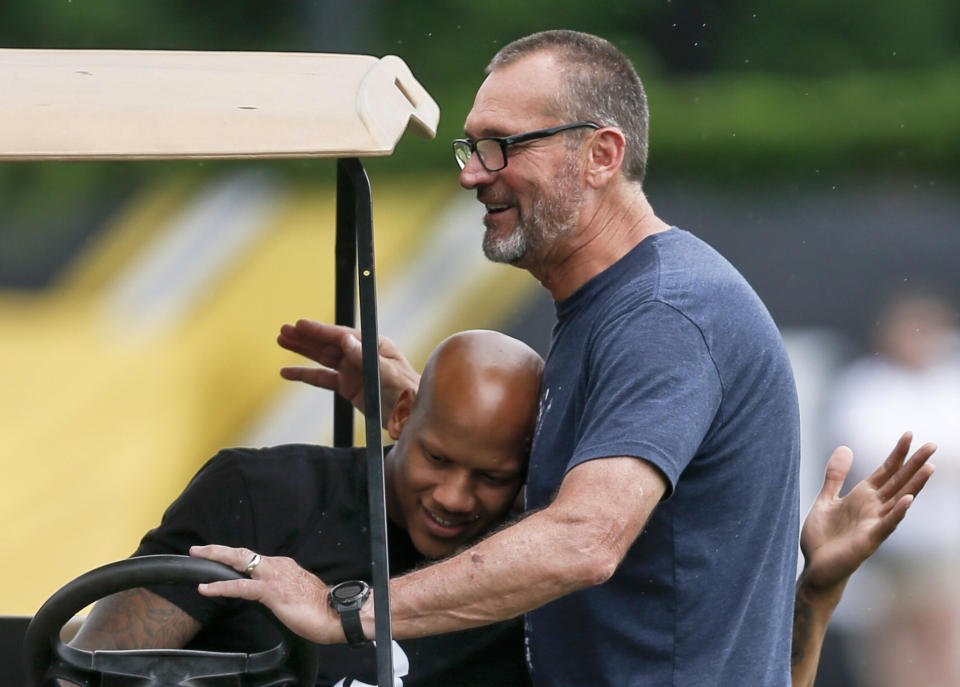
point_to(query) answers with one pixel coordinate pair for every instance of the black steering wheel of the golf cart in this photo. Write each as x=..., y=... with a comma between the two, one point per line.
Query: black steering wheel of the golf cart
x=293, y=662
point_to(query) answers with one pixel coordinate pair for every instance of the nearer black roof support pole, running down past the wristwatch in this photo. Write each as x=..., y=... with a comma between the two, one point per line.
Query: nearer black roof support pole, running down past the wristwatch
x=350, y=171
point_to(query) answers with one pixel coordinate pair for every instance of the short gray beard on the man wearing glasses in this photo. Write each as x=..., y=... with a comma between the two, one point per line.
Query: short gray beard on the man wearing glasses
x=551, y=217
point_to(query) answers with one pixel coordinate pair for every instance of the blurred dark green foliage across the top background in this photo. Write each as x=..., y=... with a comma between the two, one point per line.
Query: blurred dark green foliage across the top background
x=739, y=89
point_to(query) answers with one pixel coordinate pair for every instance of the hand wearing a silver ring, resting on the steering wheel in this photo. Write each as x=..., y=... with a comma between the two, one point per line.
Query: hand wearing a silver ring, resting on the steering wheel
x=295, y=596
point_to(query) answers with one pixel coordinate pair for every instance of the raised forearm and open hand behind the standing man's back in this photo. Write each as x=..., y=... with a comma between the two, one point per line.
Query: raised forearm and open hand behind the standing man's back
x=840, y=533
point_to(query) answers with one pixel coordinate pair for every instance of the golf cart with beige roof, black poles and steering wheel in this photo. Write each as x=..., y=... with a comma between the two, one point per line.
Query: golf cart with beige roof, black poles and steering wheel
x=154, y=105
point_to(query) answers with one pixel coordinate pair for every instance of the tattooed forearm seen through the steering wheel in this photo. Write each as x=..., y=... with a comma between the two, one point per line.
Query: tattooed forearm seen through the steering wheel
x=136, y=619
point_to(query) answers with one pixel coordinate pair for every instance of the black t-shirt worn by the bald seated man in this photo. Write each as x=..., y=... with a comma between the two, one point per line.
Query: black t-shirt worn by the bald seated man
x=310, y=503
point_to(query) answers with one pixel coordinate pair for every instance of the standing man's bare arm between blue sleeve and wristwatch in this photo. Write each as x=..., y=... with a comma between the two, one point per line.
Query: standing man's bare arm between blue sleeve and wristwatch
x=575, y=543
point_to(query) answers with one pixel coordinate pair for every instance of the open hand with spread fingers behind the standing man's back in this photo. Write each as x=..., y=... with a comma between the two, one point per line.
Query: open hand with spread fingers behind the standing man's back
x=840, y=533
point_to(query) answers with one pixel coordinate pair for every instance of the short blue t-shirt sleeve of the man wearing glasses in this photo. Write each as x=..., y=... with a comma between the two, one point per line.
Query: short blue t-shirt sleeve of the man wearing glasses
x=653, y=390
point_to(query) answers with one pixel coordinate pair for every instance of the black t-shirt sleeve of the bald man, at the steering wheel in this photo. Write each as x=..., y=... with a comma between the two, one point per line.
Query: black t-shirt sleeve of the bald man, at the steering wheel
x=213, y=509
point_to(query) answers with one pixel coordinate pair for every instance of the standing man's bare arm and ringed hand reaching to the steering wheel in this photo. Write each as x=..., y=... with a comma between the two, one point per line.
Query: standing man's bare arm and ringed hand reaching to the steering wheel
x=576, y=542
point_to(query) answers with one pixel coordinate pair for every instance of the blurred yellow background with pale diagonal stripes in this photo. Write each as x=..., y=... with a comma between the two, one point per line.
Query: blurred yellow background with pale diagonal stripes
x=158, y=347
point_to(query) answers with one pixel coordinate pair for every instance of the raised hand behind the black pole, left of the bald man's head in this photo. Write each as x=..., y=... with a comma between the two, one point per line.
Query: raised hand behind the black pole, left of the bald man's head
x=338, y=351
